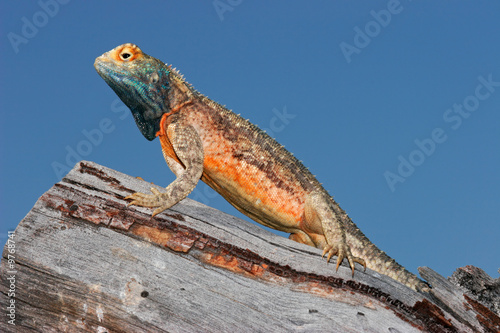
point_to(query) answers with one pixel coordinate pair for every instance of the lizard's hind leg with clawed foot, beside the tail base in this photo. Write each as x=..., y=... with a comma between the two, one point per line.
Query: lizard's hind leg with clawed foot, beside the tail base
x=320, y=213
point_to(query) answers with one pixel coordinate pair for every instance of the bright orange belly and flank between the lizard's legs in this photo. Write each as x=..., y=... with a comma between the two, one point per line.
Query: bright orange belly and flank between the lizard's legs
x=265, y=196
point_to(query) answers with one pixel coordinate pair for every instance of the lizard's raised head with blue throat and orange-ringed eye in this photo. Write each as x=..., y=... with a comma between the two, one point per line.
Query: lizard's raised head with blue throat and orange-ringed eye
x=141, y=82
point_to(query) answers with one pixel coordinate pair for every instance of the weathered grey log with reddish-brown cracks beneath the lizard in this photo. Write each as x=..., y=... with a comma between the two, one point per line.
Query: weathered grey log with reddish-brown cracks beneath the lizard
x=82, y=261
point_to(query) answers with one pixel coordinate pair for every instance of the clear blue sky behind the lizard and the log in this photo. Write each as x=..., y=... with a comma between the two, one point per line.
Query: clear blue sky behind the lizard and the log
x=394, y=106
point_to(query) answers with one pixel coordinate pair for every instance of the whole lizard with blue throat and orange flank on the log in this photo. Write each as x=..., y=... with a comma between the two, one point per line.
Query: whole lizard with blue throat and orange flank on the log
x=203, y=140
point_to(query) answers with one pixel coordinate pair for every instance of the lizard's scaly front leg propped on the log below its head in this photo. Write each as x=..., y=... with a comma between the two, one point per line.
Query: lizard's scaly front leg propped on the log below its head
x=188, y=148
